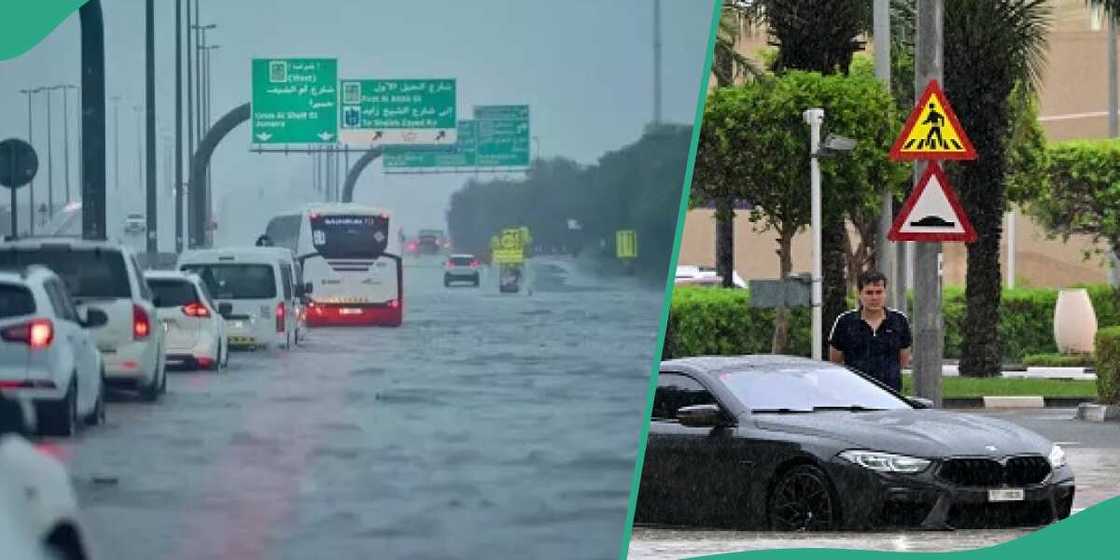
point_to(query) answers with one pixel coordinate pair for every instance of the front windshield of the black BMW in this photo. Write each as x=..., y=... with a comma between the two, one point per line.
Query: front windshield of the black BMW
x=783, y=389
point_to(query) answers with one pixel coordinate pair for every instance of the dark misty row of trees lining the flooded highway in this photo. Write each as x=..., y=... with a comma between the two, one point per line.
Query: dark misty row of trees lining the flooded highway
x=637, y=188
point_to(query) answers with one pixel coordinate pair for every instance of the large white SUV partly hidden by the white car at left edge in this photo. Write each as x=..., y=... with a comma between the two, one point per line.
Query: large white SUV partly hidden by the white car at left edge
x=107, y=276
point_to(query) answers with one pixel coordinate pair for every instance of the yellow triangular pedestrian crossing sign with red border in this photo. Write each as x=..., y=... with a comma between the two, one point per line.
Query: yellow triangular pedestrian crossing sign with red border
x=932, y=132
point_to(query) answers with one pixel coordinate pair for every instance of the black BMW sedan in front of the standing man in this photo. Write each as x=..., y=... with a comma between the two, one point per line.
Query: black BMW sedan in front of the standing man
x=789, y=444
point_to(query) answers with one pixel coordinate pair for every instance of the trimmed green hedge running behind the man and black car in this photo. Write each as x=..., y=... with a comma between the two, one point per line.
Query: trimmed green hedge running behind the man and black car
x=716, y=321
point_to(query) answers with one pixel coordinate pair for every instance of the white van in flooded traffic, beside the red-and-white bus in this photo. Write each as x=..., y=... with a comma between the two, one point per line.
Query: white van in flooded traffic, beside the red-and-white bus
x=256, y=291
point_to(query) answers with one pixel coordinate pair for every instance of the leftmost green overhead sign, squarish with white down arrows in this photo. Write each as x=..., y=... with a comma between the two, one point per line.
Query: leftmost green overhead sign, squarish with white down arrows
x=295, y=100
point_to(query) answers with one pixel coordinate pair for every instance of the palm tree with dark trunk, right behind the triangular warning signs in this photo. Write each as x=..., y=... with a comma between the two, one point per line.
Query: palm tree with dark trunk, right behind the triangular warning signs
x=990, y=48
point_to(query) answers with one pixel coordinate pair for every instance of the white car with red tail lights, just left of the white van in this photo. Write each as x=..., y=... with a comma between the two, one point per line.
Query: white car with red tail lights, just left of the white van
x=195, y=328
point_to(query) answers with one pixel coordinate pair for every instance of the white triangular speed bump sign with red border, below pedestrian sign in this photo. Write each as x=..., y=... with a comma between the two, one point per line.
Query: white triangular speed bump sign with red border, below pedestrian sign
x=932, y=212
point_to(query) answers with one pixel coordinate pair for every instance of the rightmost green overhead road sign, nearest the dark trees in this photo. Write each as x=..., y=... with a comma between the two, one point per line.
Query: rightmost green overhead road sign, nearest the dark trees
x=503, y=136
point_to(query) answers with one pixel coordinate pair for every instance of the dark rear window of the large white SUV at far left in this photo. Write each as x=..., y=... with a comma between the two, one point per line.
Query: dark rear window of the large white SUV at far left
x=94, y=274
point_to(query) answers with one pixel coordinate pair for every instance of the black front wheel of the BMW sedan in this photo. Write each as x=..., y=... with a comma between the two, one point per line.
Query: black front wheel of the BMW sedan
x=802, y=500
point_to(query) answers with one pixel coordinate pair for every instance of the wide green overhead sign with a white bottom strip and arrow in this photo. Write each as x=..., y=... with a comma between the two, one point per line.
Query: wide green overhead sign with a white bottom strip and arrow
x=398, y=113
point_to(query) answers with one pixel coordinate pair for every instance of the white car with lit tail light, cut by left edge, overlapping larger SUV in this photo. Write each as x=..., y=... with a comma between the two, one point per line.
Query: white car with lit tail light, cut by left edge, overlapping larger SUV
x=46, y=352
